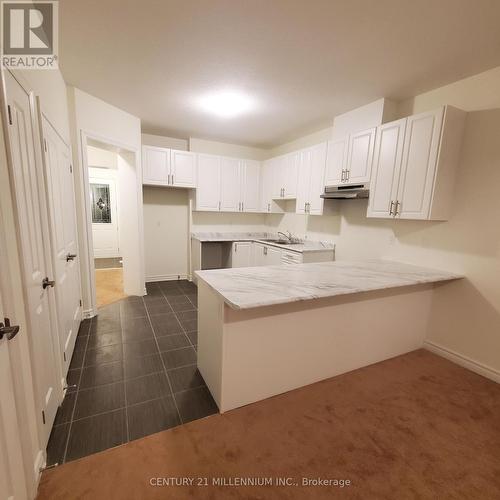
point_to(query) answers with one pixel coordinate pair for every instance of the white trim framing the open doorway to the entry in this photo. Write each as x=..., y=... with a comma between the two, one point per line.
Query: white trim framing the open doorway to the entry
x=87, y=251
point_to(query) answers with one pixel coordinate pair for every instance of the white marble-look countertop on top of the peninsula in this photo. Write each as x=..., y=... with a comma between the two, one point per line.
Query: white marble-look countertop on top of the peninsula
x=246, y=288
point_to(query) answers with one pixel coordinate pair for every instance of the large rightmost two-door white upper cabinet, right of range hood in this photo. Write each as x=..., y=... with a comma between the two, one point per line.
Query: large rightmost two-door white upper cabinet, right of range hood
x=414, y=165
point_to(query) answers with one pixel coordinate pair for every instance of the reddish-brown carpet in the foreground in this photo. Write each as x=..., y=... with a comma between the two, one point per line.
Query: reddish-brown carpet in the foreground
x=414, y=427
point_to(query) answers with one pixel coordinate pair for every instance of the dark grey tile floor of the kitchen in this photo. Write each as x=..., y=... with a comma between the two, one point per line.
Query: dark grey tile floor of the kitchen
x=134, y=367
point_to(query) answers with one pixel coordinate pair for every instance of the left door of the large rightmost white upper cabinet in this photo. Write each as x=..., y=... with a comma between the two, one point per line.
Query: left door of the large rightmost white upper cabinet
x=386, y=169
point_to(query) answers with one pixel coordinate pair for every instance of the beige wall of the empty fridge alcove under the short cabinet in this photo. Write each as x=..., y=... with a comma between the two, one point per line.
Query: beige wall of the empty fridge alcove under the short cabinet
x=166, y=233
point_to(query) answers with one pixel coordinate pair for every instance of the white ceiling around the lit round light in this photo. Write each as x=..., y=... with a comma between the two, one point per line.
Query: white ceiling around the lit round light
x=304, y=61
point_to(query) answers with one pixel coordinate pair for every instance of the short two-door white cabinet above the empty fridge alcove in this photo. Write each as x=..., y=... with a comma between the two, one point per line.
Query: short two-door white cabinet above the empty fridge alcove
x=166, y=167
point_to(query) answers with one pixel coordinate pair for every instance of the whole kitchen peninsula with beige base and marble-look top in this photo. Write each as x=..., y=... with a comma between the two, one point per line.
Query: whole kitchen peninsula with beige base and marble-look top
x=266, y=330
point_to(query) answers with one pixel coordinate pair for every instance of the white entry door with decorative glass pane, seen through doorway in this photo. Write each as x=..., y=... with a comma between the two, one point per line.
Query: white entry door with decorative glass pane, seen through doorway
x=104, y=212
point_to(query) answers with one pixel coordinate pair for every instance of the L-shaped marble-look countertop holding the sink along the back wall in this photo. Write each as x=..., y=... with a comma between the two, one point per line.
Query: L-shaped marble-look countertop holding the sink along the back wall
x=304, y=246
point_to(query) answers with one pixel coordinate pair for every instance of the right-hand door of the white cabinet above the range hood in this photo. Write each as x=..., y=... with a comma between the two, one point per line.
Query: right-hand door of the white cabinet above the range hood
x=360, y=156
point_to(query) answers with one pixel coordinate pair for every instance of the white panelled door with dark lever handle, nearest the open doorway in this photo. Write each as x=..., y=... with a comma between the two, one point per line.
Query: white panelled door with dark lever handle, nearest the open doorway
x=62, y=211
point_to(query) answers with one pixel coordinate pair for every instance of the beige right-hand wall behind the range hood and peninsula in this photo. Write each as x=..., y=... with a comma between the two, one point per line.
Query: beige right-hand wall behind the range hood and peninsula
x=466, y=315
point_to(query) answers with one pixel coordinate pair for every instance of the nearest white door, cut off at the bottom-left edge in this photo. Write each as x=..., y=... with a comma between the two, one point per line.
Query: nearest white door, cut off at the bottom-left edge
x=12, y=481
